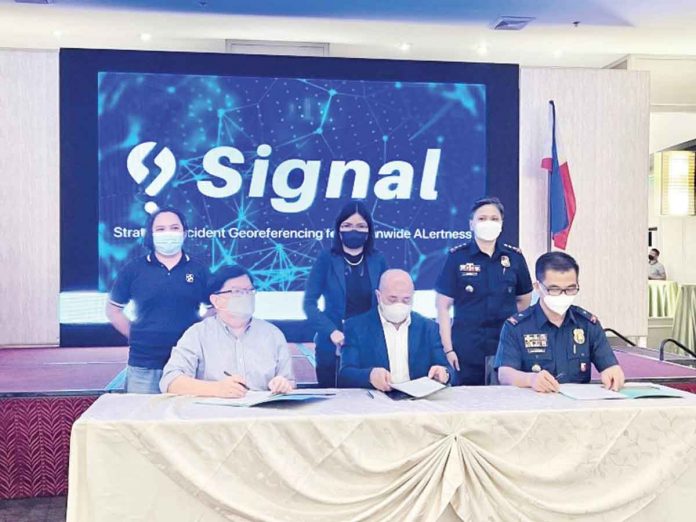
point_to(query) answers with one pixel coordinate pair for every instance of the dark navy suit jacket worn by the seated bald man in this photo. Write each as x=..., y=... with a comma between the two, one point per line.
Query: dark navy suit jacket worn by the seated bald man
x=366, y=348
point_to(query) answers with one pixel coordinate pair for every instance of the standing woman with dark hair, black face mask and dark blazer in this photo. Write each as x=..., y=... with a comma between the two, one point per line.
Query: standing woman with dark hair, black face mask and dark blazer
x=346, y=275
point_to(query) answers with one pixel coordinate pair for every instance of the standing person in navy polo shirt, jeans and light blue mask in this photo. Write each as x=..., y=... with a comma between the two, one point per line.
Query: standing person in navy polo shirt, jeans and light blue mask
x=167, y=287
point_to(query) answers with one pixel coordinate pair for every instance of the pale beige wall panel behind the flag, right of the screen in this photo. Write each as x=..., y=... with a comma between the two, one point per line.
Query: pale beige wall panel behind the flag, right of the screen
x=604, y=118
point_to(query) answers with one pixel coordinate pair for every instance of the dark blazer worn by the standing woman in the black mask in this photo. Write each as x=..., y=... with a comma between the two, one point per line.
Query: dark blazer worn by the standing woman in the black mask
x=328, y=278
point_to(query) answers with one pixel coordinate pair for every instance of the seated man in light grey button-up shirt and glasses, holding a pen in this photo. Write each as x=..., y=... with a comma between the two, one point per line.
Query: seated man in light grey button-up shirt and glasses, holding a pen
x=231, y=352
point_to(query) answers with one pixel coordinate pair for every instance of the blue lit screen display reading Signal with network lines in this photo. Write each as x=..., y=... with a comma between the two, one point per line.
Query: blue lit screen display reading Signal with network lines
x=261, y=166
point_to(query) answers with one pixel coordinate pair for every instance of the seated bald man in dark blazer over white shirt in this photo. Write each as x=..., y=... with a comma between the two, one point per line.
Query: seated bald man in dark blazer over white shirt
x=390, y=343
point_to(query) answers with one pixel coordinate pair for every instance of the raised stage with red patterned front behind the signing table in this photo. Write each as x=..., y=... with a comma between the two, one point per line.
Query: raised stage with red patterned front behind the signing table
x=44, y=390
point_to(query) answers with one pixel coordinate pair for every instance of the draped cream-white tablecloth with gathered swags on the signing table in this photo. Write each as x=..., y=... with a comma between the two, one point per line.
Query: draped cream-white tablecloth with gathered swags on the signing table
x=473, y=454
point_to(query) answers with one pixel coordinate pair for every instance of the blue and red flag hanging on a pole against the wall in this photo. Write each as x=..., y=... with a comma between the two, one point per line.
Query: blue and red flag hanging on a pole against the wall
x=561, y=194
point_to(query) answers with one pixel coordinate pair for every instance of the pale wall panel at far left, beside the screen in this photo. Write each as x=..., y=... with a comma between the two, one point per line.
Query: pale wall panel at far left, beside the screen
x=29, y=197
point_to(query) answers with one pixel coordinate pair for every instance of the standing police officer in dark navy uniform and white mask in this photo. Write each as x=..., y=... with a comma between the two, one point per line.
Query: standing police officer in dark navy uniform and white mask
x=486, y=282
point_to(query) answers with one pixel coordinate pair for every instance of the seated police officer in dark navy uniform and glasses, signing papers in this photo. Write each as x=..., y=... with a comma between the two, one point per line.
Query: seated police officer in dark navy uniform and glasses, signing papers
x=553, y=341
